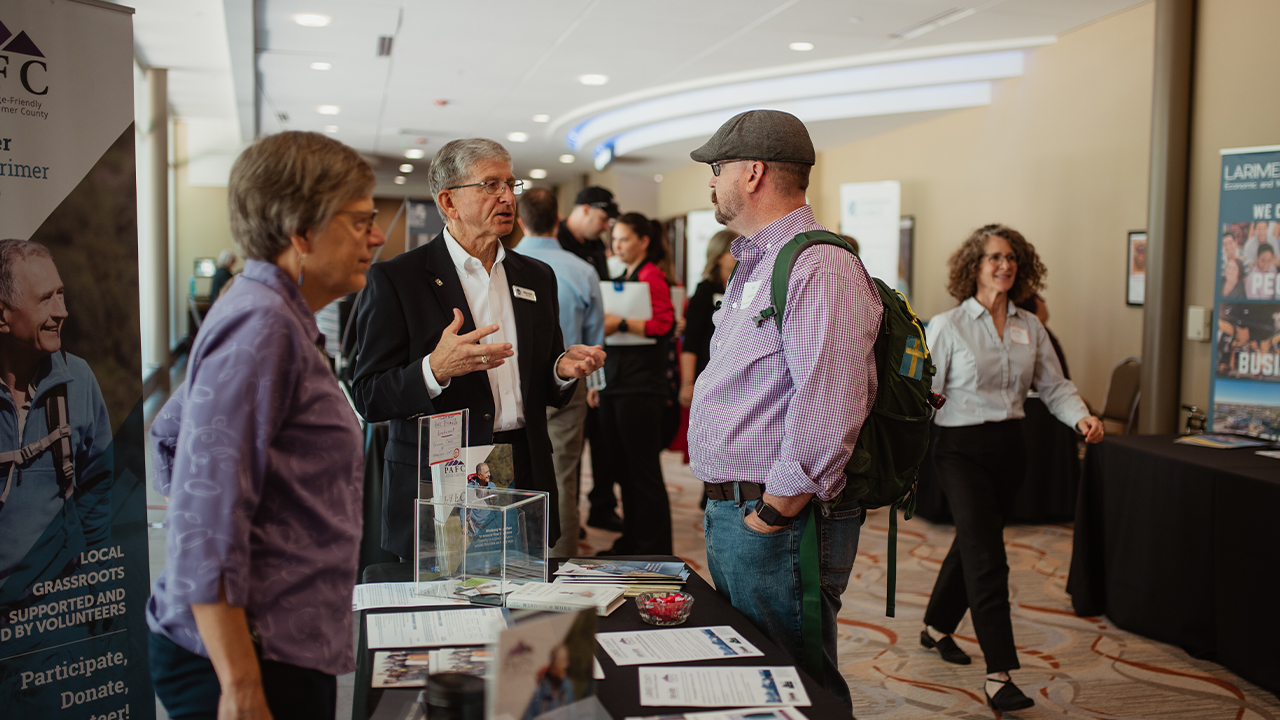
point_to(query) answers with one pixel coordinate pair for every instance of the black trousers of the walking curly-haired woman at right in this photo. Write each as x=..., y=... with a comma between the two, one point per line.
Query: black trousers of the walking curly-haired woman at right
x=980, y=471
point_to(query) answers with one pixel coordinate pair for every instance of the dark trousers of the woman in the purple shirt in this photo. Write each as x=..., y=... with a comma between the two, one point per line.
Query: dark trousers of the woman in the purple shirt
x=188, y=686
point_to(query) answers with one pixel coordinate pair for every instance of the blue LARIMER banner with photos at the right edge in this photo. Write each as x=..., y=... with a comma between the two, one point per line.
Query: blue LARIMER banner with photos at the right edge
x=1245, y=388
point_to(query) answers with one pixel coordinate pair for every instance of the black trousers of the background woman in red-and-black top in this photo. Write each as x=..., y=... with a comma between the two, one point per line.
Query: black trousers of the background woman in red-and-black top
x=632, y=429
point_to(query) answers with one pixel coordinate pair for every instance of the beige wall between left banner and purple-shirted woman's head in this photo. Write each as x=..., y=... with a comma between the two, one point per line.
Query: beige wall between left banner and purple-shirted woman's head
x=202, y=227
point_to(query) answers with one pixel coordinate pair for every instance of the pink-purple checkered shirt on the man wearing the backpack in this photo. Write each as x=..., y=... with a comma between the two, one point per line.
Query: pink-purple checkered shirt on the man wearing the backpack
x=785, y=409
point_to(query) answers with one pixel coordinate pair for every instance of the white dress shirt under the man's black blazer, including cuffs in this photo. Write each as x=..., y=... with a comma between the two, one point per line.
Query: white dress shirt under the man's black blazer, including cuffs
x=490, y=300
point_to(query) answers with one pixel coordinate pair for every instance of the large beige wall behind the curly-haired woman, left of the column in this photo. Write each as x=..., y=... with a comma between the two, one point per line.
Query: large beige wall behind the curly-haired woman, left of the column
x=1060, y=154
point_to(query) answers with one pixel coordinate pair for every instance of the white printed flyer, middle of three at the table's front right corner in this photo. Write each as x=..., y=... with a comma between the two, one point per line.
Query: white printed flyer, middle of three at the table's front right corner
x=721, y=687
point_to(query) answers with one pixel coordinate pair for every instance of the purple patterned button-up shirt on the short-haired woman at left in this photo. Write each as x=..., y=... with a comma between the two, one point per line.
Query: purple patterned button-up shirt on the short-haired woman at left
x=260, y=455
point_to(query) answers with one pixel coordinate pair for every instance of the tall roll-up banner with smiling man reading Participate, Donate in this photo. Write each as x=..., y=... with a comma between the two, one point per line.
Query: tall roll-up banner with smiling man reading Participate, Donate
x=74, y=545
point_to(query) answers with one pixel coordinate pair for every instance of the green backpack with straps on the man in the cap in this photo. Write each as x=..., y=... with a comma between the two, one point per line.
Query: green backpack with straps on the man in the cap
x=895, y=438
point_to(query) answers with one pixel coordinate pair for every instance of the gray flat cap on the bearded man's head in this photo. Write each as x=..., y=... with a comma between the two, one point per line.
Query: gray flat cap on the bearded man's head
x=760, y=135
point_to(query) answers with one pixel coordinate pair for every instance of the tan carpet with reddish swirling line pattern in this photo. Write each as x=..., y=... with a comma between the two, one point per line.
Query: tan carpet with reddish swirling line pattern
x=1073, y=667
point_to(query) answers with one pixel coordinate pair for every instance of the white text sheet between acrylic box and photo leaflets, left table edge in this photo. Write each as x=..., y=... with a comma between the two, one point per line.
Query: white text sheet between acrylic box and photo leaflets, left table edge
x=474, y=626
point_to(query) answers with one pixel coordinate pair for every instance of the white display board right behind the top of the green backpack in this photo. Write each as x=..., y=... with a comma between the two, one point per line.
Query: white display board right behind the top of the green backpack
x=870, y=215
